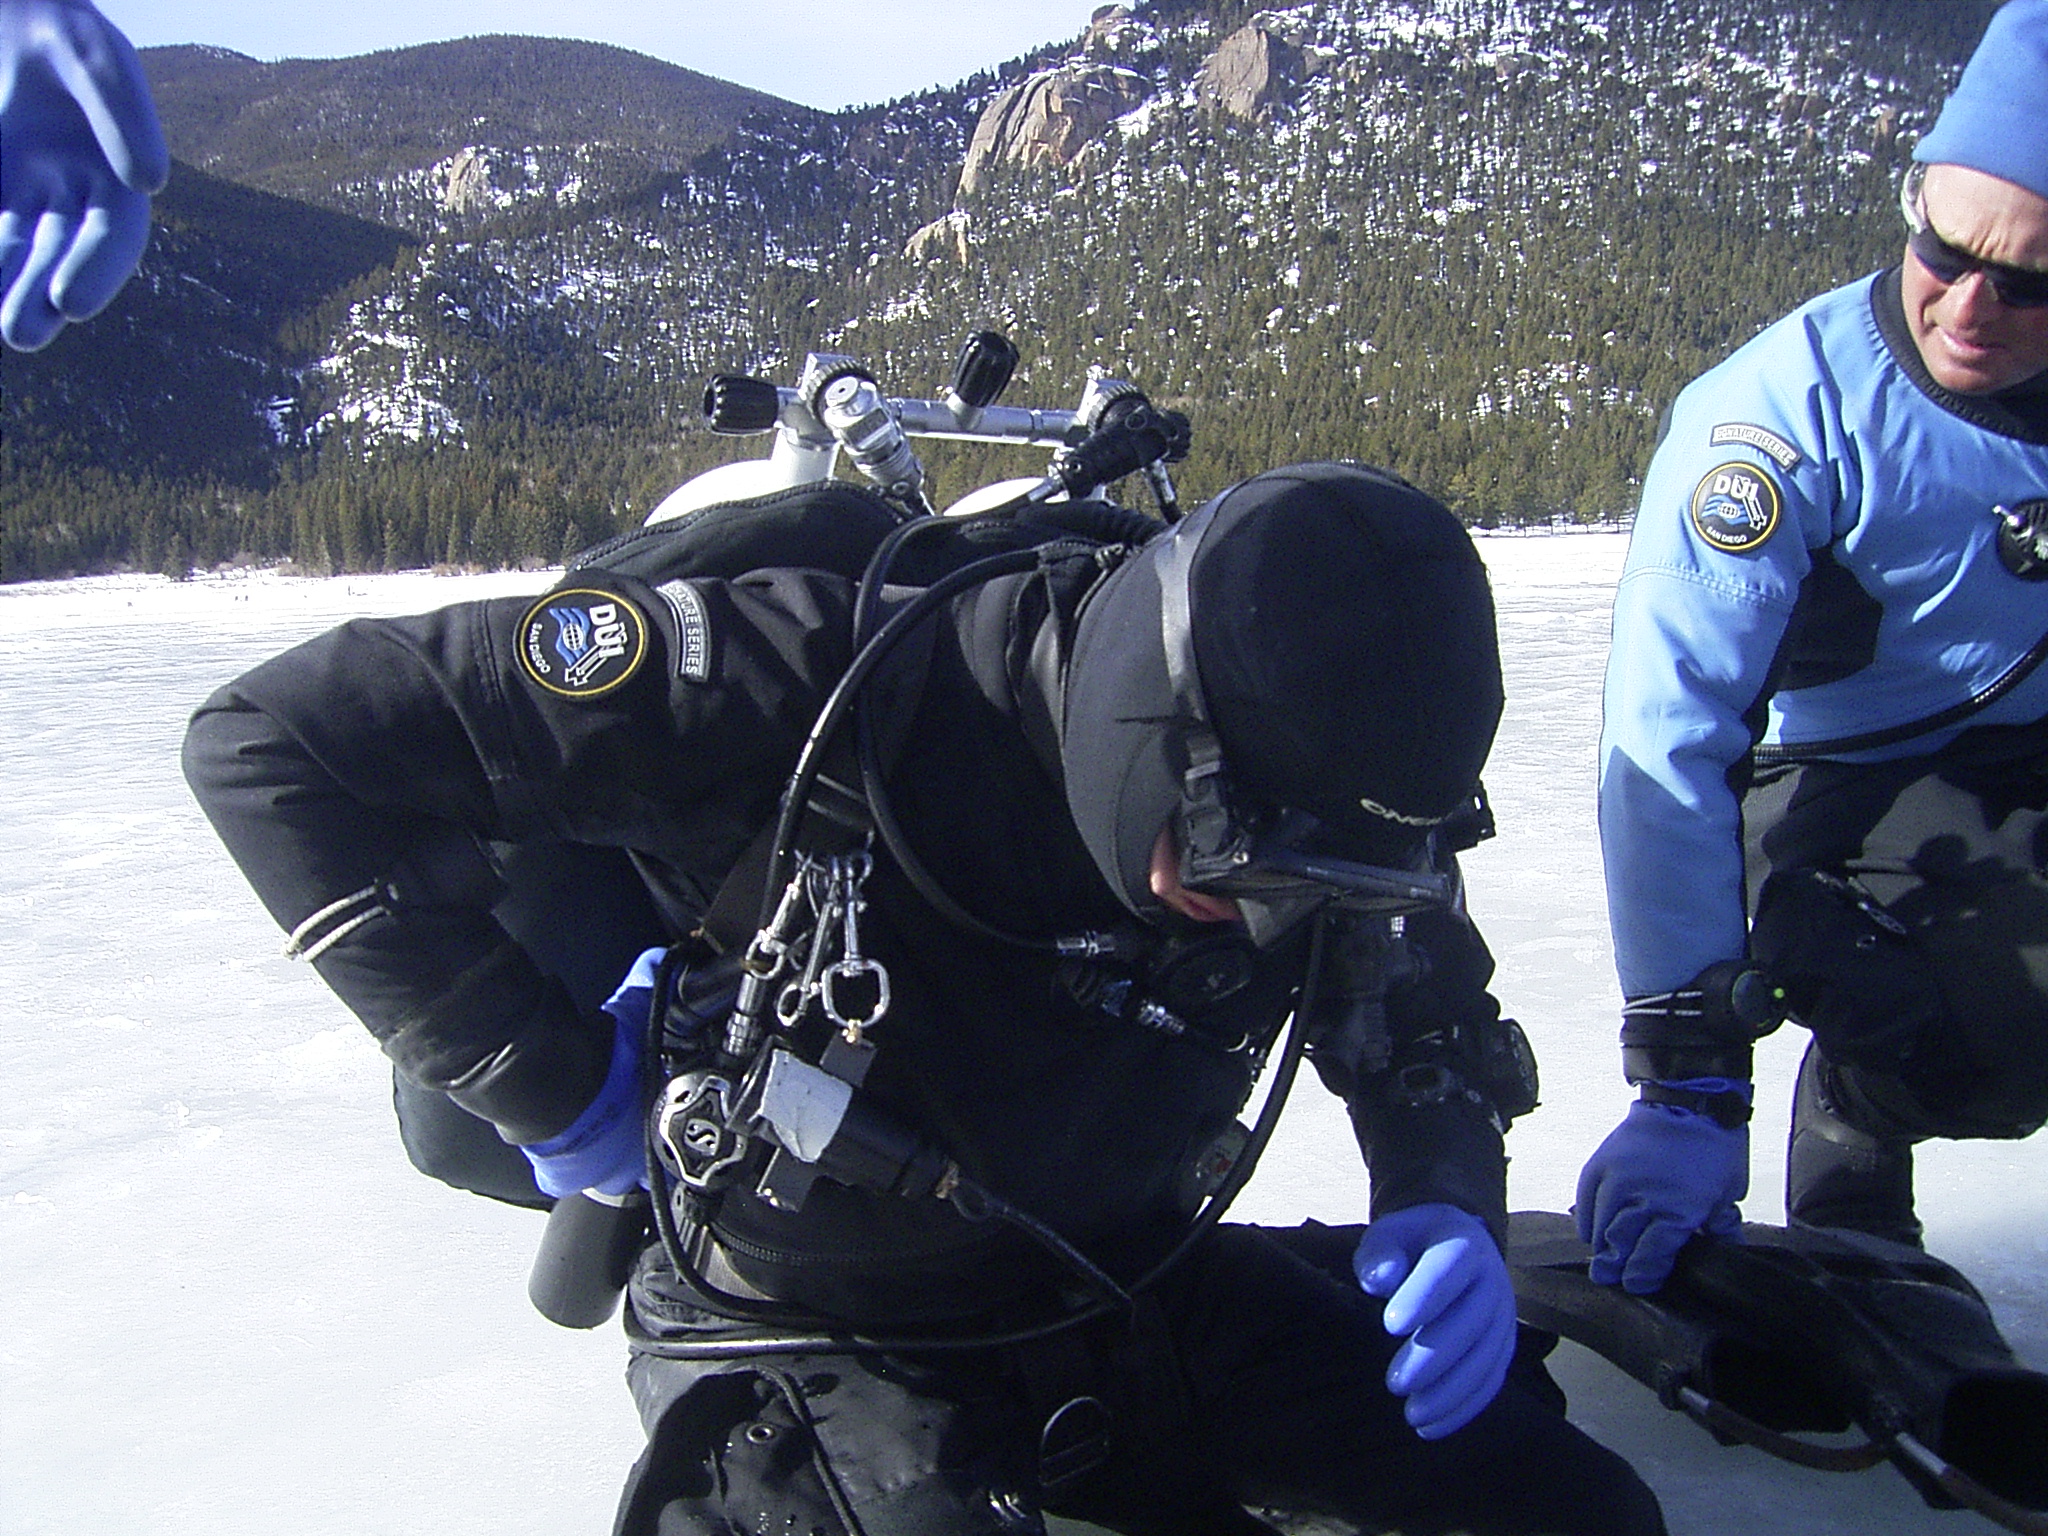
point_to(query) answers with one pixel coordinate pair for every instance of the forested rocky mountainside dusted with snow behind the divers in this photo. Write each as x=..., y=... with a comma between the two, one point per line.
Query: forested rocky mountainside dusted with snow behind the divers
x=460, y=302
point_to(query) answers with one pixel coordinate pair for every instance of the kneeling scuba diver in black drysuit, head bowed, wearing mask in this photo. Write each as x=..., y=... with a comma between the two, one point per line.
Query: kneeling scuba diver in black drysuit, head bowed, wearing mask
x=1070, y=845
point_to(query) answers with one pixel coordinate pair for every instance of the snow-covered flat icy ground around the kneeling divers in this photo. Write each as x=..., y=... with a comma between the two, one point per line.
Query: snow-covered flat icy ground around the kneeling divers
x=228, y=1308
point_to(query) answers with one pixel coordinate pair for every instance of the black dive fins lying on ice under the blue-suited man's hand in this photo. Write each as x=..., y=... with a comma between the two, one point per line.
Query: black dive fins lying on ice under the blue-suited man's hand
x=1801, y=1330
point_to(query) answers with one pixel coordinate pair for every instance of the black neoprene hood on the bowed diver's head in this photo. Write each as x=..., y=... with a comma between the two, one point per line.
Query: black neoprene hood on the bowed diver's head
x=1342, y=634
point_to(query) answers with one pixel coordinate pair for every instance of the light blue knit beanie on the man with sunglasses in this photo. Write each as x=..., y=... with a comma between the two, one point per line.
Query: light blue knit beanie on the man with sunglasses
x=1998, y=120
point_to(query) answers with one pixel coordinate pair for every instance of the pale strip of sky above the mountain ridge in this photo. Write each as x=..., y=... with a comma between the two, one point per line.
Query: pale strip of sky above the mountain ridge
x=826, y=54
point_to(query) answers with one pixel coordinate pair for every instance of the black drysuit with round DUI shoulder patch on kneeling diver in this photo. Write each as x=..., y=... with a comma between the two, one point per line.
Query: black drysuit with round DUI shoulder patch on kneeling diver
x=366, y=783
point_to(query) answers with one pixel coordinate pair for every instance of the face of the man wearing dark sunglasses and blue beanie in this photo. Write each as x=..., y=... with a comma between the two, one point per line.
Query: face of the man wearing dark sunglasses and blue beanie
x=1969, y=339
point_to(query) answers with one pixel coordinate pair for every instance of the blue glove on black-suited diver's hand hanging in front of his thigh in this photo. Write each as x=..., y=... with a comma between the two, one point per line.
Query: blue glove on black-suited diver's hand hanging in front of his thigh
x=1451, y=1297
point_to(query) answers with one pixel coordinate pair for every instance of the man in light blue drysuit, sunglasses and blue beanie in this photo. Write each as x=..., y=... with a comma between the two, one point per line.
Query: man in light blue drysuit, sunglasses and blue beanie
x=1826, y=753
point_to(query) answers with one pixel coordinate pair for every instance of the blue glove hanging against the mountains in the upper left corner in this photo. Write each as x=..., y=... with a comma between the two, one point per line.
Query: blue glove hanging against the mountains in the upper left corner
x=81, y=153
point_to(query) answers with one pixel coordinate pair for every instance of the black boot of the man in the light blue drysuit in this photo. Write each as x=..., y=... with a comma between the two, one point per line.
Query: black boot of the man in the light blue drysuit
x=1840, y=1175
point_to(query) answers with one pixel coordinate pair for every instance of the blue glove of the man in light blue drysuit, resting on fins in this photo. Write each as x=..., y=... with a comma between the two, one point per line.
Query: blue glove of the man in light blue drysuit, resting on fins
x=1664, y=1175
